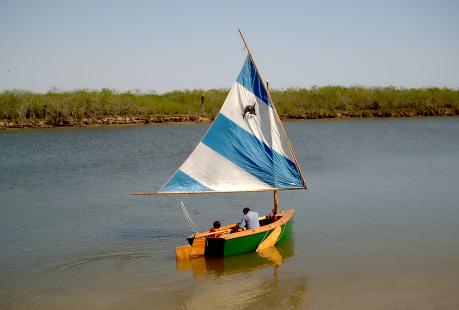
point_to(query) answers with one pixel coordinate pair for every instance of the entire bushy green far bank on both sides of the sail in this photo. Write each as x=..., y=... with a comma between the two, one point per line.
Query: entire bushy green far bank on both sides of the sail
x=85, y=107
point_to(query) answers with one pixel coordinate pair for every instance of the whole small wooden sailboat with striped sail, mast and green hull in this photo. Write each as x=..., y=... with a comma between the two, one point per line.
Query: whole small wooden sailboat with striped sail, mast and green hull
x=246, y=149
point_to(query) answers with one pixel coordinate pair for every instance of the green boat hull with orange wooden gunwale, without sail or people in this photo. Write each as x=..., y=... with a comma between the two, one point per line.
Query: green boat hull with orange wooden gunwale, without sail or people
x=248, y=240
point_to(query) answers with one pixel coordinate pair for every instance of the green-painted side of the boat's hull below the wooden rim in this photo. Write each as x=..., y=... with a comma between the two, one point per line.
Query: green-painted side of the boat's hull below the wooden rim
x=219, y=247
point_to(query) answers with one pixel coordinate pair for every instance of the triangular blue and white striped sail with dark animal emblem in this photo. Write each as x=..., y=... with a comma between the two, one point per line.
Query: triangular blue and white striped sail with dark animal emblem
x=245, y=148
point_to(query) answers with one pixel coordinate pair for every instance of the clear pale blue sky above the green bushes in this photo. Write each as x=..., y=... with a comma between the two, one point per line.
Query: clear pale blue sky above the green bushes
x=159, y=46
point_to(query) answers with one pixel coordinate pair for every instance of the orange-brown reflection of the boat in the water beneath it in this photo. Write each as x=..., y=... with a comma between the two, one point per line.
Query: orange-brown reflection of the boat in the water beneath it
x=252, y=279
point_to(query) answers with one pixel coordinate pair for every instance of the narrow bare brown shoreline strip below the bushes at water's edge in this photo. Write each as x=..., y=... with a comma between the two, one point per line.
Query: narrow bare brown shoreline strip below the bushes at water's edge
x=187, y=119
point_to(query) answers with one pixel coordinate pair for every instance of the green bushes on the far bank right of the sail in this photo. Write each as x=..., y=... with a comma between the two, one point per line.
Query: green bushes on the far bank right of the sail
x=337, y=101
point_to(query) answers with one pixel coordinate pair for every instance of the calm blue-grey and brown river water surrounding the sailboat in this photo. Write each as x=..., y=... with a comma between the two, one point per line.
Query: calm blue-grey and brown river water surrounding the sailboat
x=378, y=229
